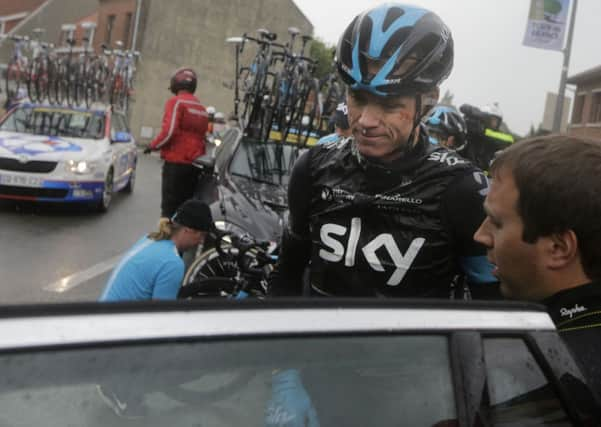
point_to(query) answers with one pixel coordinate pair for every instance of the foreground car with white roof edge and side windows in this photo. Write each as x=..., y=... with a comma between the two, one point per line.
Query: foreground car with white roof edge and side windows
x=264, y=363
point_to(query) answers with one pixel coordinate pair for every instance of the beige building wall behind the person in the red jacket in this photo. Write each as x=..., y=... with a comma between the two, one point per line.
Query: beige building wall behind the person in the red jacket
x=192, y=33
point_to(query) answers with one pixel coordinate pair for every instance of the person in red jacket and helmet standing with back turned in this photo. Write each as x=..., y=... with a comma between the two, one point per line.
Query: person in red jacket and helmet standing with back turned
x=181, y=140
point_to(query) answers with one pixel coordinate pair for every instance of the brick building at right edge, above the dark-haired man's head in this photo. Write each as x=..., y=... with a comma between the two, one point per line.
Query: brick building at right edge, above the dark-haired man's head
x=586, y=114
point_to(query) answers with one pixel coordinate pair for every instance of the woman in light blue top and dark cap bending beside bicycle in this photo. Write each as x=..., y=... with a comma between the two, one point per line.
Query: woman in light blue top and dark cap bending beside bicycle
x=153, y=268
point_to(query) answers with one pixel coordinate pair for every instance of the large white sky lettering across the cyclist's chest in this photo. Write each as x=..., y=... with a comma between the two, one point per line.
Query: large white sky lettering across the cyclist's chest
x=337, y=252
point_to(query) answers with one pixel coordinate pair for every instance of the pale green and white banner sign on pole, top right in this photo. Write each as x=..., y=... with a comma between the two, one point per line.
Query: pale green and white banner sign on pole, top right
x=547, y=24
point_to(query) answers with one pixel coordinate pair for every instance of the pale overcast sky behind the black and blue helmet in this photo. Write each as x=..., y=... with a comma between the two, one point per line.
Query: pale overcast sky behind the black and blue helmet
x=491, y=64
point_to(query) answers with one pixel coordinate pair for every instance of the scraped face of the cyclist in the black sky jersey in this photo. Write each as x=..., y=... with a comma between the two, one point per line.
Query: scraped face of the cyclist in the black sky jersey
x=380, y=124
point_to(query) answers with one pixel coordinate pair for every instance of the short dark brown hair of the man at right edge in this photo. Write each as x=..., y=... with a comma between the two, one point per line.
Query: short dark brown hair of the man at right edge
x=559, y=182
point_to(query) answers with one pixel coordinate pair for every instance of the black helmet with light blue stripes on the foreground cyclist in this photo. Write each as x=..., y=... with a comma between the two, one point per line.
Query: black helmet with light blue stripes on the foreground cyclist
x=412, y=47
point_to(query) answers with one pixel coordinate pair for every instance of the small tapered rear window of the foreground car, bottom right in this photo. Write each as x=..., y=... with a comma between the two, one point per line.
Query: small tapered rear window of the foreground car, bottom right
x=519, y=392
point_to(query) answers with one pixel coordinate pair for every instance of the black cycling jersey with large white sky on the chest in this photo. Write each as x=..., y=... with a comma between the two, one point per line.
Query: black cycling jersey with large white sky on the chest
x=369, y=231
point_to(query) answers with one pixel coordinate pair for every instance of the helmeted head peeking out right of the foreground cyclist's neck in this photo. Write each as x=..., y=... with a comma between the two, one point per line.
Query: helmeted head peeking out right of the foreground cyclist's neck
x=447, y=127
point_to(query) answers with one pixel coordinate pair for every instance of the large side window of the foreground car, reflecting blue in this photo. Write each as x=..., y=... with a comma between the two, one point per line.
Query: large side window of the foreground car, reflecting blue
x=384, y=381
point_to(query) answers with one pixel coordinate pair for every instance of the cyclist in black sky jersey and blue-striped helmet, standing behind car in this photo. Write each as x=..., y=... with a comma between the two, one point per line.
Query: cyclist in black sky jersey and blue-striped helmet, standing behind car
x=386, y=213
